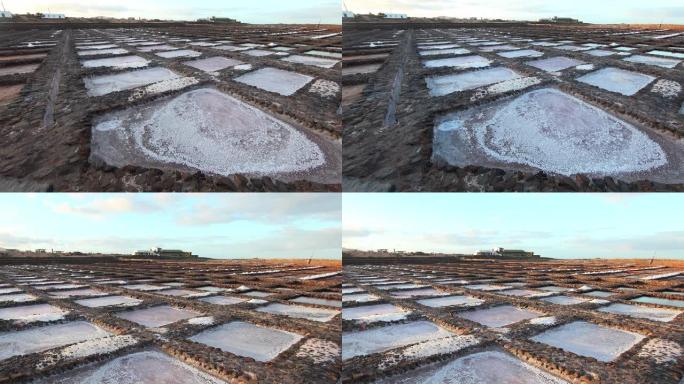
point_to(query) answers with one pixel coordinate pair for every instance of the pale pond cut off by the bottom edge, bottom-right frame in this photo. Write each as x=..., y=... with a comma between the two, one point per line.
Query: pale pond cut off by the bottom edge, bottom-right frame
x=478, y=368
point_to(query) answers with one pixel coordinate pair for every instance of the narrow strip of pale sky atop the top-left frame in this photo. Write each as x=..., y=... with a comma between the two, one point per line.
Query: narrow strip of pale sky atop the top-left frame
x=254, y=11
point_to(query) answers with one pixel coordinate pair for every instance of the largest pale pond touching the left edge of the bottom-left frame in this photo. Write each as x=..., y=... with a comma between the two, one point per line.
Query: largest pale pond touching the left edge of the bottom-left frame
x=39, y=339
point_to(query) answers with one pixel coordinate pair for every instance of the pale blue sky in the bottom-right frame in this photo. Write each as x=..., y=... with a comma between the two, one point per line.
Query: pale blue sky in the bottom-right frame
x=557, y=225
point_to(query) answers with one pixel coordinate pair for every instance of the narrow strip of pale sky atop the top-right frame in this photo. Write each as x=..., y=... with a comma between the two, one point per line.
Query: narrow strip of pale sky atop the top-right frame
x=591, y=11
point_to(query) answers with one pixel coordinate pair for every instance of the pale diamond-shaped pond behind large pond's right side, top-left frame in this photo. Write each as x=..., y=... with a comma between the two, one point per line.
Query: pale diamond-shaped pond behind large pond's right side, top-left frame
x=282, y=82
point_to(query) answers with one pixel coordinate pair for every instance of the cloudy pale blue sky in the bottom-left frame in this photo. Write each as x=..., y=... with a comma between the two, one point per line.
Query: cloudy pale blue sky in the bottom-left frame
x=285, y=225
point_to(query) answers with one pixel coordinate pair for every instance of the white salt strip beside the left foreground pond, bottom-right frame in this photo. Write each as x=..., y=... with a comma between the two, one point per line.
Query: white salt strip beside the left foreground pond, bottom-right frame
x=428, y=348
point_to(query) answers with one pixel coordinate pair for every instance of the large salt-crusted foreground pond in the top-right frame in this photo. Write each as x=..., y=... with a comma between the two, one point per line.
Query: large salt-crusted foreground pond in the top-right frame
x=548, y=130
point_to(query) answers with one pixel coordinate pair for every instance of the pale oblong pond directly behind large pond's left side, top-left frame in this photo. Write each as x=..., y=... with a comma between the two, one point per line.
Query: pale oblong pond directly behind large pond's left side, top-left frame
x=102, y=85
